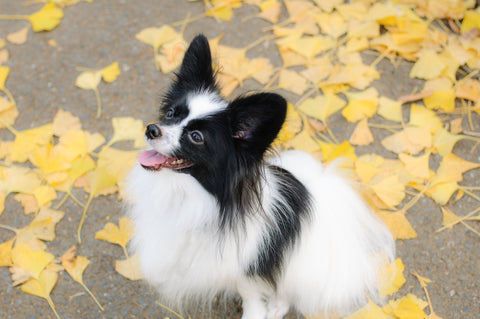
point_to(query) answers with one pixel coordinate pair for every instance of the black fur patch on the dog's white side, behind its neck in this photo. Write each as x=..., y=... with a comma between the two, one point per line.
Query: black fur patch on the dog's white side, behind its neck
x=289, y=210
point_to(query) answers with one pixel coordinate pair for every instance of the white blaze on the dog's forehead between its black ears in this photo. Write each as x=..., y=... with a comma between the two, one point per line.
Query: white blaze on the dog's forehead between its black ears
x=203, y=104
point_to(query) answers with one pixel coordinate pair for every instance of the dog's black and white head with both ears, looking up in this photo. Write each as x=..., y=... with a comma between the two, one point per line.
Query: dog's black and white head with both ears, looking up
x=202, y=134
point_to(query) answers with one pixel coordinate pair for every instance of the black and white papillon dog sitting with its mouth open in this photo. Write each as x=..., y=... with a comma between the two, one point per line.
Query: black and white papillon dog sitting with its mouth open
x=218, y=213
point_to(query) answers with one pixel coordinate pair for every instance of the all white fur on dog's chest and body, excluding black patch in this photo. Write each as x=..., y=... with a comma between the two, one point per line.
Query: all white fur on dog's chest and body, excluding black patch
x=331, y=268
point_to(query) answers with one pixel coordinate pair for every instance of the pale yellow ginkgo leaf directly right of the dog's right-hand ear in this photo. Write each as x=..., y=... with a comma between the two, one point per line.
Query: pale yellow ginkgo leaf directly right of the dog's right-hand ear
x=322, y=106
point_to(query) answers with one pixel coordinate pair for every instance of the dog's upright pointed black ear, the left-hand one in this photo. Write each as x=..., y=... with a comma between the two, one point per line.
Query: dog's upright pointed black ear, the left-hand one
x=196, y=71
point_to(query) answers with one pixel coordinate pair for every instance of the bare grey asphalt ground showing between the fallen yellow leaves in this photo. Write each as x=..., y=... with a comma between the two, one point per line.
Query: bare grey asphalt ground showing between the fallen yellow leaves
x=94, y=35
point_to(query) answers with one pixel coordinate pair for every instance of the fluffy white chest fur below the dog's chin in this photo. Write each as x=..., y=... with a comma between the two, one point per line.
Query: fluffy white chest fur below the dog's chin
x=177, y=236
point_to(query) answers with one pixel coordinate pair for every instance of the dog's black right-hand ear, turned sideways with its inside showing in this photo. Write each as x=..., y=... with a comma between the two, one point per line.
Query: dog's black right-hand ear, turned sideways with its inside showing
x=256, y=120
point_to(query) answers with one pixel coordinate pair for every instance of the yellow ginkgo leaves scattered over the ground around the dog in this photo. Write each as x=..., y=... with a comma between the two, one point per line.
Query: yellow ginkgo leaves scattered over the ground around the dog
x=323, y=45
